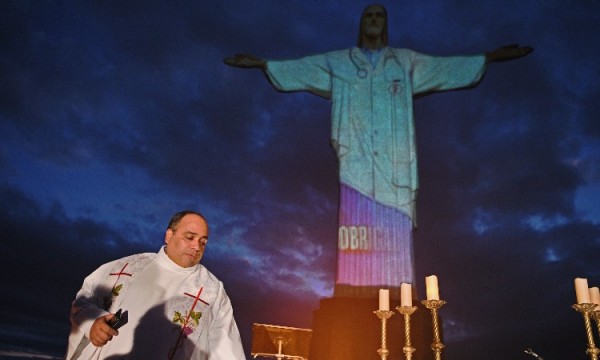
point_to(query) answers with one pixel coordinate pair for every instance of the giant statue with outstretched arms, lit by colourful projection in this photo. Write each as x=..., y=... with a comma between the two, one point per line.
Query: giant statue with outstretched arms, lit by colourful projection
x=371, y=87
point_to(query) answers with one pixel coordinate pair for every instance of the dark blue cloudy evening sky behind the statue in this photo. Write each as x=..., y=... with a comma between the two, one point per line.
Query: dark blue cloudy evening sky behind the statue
x=116, y=114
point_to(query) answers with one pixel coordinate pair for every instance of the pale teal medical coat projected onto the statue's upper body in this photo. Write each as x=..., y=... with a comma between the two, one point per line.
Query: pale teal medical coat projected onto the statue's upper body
x=372, y=126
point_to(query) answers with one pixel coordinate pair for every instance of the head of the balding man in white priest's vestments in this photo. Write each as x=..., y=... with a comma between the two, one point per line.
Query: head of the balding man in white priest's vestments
x=186, y=242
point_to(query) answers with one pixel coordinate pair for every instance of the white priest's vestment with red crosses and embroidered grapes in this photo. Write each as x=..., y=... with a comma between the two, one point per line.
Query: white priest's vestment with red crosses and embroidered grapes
x=158, y=295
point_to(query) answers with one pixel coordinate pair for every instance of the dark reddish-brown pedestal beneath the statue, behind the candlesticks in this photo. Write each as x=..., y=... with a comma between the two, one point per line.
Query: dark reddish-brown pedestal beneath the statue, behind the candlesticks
x=347, y=329
